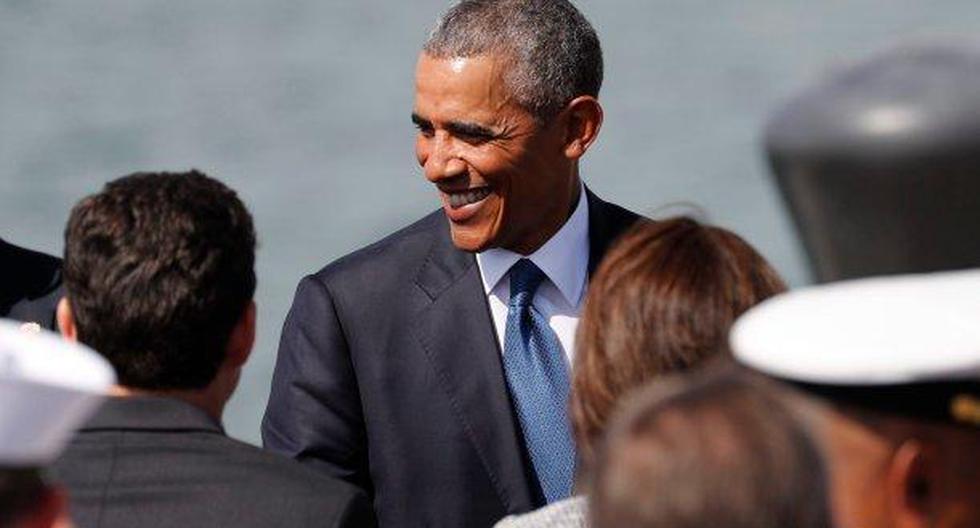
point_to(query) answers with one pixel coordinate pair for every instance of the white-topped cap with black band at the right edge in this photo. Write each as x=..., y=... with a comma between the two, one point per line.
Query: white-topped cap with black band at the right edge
x=893, y=339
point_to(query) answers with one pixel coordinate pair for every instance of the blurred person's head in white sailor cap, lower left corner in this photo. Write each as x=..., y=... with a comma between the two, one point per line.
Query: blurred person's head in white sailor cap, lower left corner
x=47, y=388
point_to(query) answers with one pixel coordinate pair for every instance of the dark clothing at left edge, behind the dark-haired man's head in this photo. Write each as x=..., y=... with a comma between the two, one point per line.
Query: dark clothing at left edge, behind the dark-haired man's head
x=30, y=285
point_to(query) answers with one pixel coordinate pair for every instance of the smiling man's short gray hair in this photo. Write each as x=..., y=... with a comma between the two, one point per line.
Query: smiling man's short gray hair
x=552, y=50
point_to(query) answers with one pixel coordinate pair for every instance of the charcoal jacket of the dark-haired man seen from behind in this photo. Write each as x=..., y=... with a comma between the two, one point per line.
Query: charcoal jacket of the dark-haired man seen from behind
x=146, y=462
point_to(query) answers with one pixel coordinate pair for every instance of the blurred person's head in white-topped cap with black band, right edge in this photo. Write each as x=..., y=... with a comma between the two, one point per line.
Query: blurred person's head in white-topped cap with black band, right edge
x=891, y=368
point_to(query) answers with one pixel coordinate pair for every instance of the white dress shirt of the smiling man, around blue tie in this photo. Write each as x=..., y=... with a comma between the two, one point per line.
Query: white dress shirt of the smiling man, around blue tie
x=564, y=259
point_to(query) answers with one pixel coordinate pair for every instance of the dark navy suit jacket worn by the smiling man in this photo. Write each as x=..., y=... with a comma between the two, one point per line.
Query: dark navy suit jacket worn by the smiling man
x=389, y=376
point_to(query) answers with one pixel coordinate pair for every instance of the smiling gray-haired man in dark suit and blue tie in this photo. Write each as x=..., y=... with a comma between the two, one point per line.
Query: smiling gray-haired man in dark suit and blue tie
x=431, y=368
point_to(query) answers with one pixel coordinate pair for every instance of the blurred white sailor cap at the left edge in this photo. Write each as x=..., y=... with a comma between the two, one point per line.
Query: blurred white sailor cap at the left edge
x=48, y=387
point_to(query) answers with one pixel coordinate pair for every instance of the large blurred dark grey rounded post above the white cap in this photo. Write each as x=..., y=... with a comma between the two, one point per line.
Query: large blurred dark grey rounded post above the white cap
x=893, y=140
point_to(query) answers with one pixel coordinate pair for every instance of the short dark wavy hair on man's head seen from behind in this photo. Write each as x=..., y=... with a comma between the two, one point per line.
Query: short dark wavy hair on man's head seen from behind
x=159, y=267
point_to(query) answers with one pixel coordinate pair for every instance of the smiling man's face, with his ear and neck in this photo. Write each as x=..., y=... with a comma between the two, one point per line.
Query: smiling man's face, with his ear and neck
x=503, y=177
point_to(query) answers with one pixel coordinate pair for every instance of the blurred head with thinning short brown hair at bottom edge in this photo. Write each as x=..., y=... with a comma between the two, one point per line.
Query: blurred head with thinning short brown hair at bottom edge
x=720, y=451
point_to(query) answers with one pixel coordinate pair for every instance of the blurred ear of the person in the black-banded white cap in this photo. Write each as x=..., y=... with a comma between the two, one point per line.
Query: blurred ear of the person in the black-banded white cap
x=911, y=485
